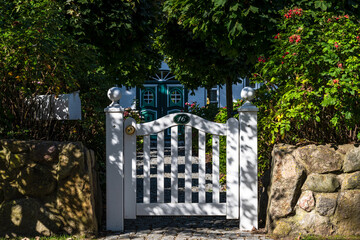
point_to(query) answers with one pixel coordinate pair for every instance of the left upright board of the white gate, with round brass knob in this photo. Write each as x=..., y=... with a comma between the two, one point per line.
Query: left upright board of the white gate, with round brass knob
x=130, y=172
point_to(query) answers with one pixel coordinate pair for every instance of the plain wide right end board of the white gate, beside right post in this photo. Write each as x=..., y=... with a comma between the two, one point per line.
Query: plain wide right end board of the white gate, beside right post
x=232, y=169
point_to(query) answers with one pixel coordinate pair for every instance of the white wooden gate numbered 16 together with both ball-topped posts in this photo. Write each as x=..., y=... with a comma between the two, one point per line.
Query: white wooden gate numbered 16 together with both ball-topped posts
x=241, y=175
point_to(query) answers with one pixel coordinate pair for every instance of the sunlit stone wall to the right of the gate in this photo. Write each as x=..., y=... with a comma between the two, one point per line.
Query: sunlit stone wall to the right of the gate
x=315, y=189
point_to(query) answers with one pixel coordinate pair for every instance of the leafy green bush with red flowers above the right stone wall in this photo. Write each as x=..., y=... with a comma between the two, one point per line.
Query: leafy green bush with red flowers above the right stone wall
x=311, y=88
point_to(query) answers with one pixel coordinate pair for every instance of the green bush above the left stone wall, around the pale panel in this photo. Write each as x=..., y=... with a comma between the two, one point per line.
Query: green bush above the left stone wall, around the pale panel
x=39, y=57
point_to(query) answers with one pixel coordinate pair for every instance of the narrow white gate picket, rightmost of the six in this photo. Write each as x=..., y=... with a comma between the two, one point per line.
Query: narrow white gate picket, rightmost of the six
x=216, y=169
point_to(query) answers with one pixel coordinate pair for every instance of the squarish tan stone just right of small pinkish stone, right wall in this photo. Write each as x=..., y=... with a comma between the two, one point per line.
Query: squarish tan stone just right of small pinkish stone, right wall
x=326, y=203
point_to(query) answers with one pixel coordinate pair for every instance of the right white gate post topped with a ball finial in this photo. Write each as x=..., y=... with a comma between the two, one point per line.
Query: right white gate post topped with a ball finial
x=248, y=161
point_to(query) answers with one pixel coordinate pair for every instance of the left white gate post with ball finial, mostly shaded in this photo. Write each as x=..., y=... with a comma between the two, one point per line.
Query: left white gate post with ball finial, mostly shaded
x=114, y=162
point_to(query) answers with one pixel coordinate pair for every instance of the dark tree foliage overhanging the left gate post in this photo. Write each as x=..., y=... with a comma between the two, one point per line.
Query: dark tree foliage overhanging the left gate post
x=122, y=32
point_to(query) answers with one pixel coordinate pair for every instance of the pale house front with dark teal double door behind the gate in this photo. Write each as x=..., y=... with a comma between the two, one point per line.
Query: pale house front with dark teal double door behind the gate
x=162, y=94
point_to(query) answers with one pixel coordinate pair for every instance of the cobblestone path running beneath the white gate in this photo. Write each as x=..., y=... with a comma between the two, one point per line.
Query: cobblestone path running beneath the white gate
x=176, y=228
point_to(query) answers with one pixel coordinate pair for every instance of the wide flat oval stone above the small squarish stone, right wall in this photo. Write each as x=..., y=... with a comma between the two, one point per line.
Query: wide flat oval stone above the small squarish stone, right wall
x=321, y=183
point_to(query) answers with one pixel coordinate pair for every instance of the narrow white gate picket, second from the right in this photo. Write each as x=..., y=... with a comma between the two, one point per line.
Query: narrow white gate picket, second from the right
x=202, y=143
